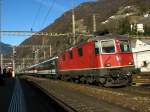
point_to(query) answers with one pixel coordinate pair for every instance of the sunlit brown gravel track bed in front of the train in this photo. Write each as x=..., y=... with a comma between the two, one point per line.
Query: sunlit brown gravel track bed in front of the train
x=121, y=98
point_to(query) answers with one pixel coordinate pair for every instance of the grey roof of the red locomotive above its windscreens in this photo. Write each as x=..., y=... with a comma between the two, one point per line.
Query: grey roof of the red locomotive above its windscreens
x=109, y=36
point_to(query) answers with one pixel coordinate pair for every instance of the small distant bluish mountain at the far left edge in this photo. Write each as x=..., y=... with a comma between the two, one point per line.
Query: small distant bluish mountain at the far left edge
x=5, y=49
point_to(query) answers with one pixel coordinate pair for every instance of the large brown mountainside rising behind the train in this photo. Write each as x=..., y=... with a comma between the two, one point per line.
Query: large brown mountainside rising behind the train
x=112, y=15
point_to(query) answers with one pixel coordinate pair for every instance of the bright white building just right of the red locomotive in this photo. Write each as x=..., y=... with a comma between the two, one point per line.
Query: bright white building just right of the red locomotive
x=141, y=52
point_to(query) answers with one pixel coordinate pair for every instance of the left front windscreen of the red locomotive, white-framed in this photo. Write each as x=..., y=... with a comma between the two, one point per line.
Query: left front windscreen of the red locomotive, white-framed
x=108, y=46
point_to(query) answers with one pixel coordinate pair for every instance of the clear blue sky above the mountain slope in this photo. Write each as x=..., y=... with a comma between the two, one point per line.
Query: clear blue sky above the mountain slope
x=22, y=15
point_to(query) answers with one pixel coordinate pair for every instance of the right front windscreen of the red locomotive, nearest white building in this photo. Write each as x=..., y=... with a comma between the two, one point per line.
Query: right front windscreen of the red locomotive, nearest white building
x=124, y=46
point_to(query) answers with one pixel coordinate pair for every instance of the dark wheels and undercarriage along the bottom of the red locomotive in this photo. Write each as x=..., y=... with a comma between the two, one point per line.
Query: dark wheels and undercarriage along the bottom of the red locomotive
x=106, y=81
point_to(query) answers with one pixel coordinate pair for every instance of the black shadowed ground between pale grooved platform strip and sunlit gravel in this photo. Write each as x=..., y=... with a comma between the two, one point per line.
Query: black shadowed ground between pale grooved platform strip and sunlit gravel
x=37, y=101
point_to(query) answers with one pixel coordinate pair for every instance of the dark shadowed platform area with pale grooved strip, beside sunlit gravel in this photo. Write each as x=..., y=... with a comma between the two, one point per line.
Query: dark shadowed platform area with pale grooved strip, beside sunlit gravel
x=17, y=95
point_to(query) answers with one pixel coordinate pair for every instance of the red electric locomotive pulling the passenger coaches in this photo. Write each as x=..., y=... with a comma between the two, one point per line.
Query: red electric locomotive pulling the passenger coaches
x=105, y=60
